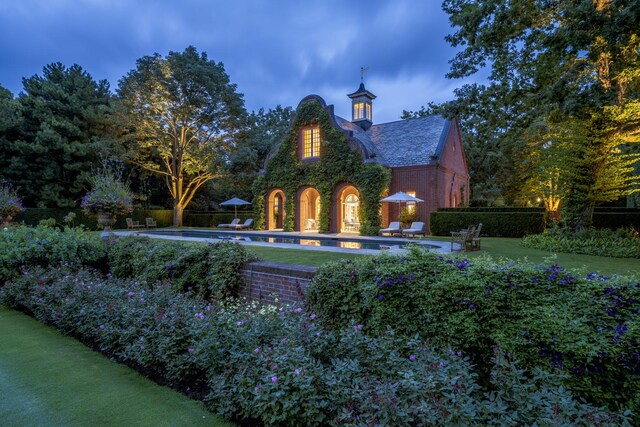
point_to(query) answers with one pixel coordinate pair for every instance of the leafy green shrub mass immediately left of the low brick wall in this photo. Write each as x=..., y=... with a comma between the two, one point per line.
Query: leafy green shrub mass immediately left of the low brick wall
x=212, y=271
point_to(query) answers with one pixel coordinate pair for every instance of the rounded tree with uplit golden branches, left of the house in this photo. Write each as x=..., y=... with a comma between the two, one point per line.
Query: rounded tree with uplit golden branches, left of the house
x=181, y=116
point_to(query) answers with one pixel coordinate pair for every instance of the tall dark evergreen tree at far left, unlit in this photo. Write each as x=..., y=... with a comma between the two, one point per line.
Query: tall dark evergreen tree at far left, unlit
x=51, y=134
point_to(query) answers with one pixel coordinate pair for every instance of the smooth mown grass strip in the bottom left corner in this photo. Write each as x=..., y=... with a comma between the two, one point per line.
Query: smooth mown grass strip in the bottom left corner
x=50, y=379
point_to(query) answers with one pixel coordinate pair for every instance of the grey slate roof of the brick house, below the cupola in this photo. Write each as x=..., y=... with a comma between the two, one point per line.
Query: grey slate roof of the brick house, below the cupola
x=410, y=142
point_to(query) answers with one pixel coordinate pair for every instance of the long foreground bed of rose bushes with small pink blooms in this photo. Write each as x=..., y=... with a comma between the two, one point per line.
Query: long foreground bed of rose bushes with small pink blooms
x=280, y=367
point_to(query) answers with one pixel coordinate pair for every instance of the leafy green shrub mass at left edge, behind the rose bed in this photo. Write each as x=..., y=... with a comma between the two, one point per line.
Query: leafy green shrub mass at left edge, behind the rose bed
x=44, y=246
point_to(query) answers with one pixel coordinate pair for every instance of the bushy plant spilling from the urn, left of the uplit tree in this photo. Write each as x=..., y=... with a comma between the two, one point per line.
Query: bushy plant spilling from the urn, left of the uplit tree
x=109, y=194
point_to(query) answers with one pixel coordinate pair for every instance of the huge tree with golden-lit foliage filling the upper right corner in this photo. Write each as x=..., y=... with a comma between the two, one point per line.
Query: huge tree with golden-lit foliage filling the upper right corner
x=576, y=65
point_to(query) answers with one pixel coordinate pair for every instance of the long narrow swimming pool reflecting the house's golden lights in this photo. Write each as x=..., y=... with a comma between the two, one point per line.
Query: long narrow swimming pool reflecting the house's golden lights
x=333, y=242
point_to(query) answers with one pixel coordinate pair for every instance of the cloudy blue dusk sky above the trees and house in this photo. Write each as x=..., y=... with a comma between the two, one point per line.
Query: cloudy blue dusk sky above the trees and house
x=277, y=52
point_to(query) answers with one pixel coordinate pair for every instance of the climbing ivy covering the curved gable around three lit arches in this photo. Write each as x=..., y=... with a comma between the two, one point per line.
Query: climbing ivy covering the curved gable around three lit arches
x=338, y=164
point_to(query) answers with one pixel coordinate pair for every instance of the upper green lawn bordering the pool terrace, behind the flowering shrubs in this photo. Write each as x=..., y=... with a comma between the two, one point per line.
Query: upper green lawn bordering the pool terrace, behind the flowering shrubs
x=494, y=246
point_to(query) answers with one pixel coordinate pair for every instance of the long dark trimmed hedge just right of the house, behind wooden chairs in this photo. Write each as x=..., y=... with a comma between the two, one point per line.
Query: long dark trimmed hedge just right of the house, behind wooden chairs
x=494, y=224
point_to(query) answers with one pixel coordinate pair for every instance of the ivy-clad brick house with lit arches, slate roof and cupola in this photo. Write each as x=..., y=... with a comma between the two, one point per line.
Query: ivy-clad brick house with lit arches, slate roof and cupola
x=422, y=157
